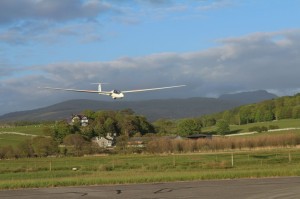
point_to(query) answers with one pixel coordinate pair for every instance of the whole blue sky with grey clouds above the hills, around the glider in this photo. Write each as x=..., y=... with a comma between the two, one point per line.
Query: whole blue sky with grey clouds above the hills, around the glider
x=212, y=46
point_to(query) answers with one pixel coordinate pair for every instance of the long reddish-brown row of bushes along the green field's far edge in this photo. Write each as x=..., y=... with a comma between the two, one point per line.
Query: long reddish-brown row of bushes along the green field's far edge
x=222, y=143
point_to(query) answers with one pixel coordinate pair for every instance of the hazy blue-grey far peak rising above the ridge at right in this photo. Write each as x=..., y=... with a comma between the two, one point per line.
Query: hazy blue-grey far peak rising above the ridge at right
x=249, y=97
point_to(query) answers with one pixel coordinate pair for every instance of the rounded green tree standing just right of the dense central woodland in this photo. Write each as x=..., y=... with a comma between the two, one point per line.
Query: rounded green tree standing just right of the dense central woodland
x=188, y=127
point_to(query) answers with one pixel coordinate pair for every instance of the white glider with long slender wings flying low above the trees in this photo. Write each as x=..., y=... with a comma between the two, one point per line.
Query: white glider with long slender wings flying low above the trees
x=115, y=94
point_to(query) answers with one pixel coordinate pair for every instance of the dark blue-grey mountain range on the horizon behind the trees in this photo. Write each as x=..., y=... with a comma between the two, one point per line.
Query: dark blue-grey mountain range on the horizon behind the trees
x=152, y=109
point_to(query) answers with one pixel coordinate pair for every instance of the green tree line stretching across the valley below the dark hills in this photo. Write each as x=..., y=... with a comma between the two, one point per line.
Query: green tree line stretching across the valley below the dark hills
x=124, y=124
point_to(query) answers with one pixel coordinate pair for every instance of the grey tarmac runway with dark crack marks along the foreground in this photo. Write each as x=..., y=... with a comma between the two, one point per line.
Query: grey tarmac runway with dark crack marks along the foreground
x=267, y=188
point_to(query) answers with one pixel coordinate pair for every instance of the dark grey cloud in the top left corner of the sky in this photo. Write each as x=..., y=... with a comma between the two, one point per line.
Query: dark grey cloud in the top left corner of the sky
x=54, y=10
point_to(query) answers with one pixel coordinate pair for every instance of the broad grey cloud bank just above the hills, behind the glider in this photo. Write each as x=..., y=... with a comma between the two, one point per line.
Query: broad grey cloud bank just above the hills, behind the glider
x=252, y=62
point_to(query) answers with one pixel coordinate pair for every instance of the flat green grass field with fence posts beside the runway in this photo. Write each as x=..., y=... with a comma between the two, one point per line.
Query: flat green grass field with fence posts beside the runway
x=123, y=169
